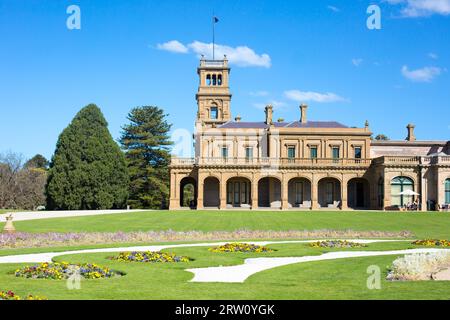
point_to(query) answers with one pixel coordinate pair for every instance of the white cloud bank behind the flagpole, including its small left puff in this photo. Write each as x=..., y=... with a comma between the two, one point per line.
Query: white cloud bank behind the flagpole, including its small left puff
x=242, y=56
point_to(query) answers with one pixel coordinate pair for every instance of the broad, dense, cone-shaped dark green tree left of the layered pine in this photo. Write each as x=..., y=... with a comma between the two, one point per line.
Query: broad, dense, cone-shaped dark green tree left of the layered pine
x=88, y=169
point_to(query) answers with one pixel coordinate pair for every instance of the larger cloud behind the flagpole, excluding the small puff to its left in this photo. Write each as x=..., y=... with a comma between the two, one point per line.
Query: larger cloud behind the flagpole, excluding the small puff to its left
x=242, y=56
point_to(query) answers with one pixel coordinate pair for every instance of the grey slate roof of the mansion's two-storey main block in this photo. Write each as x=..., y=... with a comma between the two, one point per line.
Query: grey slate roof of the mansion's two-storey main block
x=293, y=124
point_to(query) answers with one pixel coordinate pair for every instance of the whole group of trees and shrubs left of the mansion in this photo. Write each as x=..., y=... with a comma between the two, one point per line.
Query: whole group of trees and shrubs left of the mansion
x=89, y=170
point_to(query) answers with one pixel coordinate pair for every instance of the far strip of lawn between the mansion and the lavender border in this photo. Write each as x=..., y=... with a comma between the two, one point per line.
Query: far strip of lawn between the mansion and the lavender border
x=423, y=225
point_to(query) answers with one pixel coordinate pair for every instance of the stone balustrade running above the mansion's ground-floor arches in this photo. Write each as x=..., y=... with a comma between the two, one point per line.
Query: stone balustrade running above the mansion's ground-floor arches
x=271, y=162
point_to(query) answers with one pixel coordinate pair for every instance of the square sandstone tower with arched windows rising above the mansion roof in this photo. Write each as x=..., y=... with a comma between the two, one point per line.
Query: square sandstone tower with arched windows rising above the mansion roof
x=213, y=96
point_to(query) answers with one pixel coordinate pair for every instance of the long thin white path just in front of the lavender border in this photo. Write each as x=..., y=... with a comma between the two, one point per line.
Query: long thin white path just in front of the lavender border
x=48, y=256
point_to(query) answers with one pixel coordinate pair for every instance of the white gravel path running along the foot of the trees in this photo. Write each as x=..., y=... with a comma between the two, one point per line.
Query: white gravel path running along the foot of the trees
x=35, y=215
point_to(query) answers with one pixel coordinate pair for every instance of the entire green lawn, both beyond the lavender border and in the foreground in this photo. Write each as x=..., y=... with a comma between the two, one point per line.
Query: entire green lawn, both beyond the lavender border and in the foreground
x=334, y=279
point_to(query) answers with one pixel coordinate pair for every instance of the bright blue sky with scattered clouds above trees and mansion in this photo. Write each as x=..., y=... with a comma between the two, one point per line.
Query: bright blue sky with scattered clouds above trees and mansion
x=145, y=52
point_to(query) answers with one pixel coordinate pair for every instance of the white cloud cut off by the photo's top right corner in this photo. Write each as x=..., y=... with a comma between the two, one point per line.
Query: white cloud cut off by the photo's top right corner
x=422, y=8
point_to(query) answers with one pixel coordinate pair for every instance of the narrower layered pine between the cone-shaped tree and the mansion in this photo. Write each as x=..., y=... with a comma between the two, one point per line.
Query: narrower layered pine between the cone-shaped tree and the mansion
x=147, y=144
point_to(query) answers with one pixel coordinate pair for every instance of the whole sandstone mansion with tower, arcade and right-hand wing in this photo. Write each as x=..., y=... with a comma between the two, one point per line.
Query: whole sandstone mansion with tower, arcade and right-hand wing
x=300, y=164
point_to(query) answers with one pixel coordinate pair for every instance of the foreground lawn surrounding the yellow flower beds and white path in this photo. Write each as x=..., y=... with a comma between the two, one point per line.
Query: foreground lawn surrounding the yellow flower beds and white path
x=335, y=279
